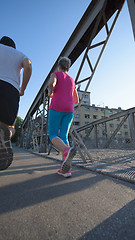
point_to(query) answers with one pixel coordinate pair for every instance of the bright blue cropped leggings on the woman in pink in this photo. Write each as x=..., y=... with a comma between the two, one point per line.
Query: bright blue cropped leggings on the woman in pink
x=62, y=121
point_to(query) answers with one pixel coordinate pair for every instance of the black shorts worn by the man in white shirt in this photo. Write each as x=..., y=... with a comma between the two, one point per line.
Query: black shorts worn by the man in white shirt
x=9, y=103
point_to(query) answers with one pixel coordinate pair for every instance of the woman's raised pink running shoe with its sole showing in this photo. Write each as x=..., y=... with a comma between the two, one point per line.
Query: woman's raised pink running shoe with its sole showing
x=68, y=155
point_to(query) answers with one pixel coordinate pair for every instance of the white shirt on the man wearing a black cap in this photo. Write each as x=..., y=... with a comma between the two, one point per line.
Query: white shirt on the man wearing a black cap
x=11, y=65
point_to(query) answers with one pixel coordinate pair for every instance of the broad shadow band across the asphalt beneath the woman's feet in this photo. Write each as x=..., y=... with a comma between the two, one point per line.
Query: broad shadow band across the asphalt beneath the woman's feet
x=31, y=192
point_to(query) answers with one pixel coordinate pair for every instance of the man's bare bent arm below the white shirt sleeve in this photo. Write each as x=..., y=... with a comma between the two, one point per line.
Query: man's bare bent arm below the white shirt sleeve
x=26, y=74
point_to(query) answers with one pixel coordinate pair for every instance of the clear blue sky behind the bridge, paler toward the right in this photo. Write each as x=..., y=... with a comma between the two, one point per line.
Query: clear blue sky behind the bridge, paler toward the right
x=41, y=29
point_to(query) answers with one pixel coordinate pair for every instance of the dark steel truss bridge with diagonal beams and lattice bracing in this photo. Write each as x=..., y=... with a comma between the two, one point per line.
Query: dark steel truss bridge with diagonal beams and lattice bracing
x=95, y=18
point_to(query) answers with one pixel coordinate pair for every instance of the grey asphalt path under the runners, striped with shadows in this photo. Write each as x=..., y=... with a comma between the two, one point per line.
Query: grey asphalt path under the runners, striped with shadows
x=38, y=204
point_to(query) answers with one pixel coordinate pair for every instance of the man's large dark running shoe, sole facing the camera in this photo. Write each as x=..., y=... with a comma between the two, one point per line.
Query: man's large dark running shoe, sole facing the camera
x=6, y=153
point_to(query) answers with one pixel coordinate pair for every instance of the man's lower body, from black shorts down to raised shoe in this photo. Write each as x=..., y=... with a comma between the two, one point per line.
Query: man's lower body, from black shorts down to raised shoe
x=9, y=103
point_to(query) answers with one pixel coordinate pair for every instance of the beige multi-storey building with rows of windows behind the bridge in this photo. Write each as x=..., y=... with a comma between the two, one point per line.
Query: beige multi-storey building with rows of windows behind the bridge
x=89, y=113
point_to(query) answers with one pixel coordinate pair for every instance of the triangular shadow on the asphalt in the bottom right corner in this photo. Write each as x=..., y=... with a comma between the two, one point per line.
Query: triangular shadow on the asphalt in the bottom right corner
x=117, y=227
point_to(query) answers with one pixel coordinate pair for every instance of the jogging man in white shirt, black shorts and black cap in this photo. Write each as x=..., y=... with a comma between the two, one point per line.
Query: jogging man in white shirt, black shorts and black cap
x=11, y=63
